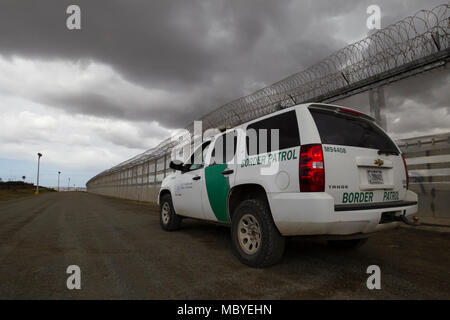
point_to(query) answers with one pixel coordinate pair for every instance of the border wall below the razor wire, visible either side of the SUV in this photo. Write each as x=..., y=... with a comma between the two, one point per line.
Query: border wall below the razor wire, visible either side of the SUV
x=428, y=160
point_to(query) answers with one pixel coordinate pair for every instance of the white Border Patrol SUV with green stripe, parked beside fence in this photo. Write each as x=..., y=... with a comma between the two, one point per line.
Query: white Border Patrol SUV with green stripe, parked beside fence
x=311, y=169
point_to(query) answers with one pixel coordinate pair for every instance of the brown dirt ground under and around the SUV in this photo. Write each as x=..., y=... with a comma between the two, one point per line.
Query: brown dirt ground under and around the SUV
x=124, y=254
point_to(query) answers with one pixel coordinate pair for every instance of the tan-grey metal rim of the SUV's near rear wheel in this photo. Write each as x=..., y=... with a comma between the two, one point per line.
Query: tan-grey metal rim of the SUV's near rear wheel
x=249, y=234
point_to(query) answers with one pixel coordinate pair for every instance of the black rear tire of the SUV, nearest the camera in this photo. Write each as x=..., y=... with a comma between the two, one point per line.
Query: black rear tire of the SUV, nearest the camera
x=269, y=248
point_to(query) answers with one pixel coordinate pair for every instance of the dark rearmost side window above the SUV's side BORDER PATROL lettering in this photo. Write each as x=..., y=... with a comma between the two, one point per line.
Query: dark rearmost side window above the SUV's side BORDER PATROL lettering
x=259, y=134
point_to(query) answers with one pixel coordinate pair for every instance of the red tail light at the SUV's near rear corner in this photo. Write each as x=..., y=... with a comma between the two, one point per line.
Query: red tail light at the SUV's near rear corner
x=311, y=168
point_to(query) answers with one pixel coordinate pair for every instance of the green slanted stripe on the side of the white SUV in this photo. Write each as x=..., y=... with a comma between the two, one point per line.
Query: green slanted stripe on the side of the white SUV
x=217, y=187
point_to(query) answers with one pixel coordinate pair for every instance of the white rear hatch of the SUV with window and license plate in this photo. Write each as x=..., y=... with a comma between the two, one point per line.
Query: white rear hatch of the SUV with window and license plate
x=362, y=164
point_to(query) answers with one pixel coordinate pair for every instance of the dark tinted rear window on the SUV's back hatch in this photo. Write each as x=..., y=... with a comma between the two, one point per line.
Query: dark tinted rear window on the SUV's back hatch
x=352, y=131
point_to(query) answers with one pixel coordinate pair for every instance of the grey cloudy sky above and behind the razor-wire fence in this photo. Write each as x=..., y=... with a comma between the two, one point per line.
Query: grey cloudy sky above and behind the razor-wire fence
x=137, y=70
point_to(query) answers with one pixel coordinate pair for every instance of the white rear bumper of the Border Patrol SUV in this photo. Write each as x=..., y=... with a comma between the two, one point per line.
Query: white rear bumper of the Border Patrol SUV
x=315, y=214
